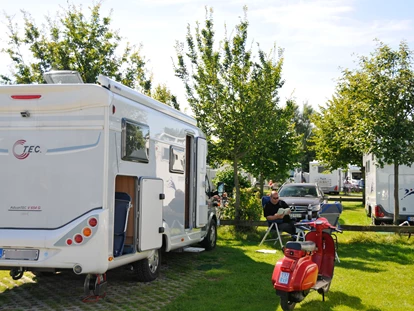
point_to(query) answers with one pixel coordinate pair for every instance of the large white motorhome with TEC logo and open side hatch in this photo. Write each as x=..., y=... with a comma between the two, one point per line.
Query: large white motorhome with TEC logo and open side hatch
x=98, y=176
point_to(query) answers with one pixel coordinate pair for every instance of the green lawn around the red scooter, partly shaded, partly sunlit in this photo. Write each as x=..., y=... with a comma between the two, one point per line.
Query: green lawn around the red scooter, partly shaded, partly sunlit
x=374, y=273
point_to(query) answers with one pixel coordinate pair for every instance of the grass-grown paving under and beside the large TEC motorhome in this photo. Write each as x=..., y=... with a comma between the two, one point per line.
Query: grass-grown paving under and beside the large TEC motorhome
x=64, y=291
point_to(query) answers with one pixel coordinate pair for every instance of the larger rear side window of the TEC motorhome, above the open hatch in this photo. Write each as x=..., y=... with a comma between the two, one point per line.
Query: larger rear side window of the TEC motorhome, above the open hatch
x=135, y=141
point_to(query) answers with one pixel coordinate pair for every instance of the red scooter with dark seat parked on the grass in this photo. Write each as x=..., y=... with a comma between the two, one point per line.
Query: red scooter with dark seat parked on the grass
x=306, y=264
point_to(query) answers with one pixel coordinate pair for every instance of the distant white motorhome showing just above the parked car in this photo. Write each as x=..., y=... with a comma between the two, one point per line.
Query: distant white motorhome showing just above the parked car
x=329, y=182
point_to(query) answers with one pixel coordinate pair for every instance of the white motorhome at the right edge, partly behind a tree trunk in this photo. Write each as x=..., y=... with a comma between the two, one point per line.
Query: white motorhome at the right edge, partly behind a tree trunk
x=379, y=192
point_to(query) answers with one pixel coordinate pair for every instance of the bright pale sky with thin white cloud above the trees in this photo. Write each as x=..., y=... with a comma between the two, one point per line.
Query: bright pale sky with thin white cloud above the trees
x=319, y=38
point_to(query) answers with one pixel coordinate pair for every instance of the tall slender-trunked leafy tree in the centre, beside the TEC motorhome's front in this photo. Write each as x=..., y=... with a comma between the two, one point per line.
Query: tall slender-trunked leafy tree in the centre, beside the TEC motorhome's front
x=233, y=97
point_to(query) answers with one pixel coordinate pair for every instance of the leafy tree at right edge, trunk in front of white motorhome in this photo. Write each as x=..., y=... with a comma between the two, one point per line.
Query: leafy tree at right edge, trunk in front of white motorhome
x=389, y=77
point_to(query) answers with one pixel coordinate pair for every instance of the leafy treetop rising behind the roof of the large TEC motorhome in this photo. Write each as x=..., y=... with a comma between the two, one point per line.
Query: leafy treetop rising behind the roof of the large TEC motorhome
x=74, y=41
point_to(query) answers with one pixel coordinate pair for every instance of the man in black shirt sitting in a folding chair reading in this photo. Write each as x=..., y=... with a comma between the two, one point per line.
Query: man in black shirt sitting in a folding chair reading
x=284, y=222
